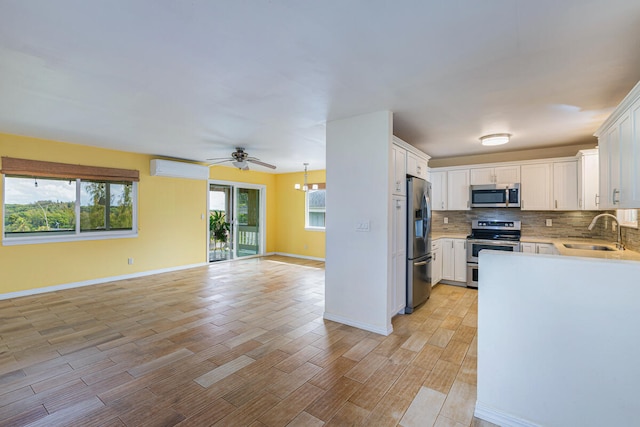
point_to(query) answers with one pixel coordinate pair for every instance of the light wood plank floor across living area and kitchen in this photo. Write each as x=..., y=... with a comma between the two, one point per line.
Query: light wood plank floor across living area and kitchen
x=232, y=344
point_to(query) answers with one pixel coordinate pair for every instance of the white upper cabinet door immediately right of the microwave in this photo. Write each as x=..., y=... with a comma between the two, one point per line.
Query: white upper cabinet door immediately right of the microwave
x=536, y=187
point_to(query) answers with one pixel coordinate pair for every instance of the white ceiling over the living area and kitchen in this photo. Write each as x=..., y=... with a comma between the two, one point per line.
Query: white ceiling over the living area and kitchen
x=193, y=79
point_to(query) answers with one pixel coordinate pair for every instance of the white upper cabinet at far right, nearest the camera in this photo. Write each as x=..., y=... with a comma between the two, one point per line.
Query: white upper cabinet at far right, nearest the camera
x=619, y=155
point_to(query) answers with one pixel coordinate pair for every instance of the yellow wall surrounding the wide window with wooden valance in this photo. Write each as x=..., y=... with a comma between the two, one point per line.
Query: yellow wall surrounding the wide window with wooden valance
x=171, y=232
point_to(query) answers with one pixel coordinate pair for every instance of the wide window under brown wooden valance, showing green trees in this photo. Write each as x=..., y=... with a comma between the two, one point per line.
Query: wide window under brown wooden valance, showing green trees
x=38, y=210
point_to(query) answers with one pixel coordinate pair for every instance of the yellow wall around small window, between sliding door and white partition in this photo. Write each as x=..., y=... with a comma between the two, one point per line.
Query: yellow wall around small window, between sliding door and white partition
x=291, y=237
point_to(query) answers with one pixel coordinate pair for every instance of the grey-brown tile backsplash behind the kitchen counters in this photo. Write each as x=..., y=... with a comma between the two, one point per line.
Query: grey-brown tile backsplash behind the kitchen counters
x=567, y=224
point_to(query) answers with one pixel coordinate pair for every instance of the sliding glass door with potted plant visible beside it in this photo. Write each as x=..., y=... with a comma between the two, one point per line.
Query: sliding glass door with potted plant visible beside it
x=236, y=220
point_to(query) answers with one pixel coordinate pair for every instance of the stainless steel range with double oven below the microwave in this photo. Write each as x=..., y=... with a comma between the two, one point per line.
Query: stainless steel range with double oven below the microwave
x=490, y=234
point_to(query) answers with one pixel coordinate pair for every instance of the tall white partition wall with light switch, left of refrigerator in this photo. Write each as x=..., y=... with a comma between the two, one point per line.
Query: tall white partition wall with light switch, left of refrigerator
x=357, y=263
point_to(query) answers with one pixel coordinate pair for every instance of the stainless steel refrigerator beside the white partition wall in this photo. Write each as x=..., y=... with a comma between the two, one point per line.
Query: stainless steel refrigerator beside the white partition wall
x=418, y=242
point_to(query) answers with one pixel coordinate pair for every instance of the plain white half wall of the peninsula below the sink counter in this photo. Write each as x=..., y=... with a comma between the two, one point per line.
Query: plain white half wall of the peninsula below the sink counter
x=558, y=340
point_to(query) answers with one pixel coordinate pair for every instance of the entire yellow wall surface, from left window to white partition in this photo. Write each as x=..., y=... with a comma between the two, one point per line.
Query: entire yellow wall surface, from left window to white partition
x=171, y=231
